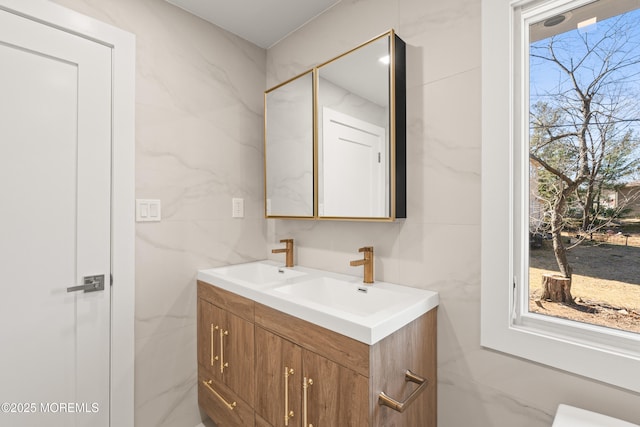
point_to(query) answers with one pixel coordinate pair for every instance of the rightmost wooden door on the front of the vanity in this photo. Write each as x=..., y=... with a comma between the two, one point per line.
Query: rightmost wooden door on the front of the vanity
x=337, y=396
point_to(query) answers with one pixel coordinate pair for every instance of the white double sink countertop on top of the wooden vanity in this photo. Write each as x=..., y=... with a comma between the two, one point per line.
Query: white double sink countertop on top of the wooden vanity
x=338, y=302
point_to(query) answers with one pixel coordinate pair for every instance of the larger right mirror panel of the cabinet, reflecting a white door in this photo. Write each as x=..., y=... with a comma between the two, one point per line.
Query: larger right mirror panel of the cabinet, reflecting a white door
x=356, y=132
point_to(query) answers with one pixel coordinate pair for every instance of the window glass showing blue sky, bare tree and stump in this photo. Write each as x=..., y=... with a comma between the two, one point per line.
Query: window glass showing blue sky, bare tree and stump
x=584, y=159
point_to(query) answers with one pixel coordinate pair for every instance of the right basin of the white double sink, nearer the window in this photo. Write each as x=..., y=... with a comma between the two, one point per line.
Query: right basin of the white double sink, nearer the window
x=355, y=298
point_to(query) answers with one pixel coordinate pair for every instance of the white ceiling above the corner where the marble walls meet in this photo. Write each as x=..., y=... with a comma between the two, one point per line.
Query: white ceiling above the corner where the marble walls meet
x=262, y=22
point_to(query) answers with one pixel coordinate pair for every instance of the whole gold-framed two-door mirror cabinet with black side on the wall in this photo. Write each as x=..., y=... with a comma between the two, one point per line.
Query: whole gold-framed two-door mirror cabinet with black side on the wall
x=335, y=137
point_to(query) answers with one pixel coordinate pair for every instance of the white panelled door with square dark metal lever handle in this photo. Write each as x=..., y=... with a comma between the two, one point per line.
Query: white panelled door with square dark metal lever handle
x=55, y=160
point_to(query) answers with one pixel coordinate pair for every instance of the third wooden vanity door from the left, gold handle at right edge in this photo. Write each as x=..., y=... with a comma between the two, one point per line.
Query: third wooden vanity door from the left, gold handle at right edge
x=279, y=380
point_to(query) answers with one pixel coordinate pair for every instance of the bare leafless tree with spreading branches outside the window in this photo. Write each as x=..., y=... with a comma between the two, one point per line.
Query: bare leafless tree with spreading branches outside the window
x=579, y=131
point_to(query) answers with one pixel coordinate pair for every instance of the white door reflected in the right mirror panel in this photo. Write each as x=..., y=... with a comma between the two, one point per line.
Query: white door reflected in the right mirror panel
x=352, y=176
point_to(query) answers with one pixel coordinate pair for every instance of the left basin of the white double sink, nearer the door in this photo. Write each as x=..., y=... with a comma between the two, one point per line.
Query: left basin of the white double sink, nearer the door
x=254, y=274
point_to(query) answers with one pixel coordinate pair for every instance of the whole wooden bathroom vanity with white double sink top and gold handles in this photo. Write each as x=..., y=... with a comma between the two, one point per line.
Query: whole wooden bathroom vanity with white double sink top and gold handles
x=270, y=354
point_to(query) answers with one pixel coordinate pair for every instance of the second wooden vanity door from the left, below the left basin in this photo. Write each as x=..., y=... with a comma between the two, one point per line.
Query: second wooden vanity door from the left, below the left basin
x=237, y=351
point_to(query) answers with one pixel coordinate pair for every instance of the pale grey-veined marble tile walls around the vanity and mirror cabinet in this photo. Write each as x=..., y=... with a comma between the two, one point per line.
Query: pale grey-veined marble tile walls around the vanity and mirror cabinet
x=199, y=143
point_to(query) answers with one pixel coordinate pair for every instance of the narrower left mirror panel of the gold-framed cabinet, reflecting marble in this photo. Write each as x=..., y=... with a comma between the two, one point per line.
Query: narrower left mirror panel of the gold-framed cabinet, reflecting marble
x=289, y=148
